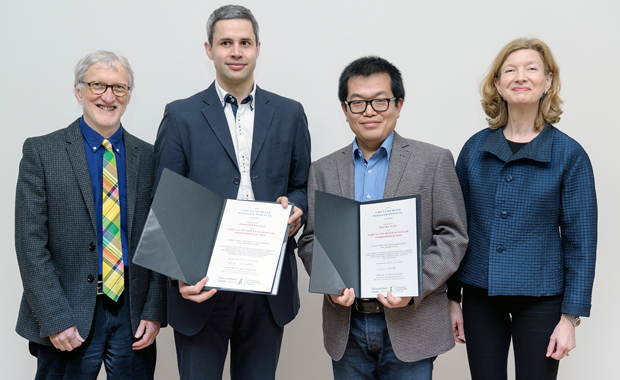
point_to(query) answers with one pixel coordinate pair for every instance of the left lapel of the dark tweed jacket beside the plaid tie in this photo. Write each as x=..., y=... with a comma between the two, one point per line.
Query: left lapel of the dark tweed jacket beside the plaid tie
x=77, y=156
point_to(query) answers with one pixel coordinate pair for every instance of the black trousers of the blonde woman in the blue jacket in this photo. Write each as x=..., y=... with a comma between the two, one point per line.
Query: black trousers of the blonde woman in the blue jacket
x=491, y=322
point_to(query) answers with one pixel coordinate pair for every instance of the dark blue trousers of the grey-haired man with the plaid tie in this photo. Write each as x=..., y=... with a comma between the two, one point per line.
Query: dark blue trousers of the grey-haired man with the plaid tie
x=110, y=342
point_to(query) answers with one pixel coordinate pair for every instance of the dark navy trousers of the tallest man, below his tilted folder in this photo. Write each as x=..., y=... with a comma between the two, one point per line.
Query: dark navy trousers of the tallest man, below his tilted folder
x=246, y=321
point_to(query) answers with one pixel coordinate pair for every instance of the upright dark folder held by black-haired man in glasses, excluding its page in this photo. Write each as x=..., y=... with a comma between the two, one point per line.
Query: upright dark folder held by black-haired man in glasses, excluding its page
x=336, y=248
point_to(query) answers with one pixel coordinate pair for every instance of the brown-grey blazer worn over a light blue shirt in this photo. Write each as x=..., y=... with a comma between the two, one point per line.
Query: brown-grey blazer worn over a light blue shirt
x=423, y=329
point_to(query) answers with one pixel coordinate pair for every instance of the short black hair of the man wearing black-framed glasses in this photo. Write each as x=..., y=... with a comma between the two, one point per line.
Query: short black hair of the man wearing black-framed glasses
x=367, y=66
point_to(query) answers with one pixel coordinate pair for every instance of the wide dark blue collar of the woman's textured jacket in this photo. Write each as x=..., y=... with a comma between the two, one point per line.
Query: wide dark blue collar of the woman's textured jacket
x=539, y=149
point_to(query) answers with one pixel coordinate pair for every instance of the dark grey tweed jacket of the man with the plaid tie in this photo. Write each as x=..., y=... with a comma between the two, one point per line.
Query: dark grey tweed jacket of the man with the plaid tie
x=56, y=236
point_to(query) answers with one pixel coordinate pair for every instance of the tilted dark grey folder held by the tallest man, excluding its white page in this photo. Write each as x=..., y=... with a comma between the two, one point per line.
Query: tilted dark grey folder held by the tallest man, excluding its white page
x=181, y=229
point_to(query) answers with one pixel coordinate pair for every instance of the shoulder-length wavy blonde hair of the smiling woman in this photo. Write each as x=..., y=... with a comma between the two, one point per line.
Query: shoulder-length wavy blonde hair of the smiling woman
x=549, y=108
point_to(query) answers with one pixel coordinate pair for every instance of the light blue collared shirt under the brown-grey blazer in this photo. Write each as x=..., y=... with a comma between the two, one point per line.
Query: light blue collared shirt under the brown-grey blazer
x=370, y=175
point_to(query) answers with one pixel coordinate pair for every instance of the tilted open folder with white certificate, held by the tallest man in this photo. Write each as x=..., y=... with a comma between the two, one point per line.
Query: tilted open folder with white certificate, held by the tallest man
x=192, y=231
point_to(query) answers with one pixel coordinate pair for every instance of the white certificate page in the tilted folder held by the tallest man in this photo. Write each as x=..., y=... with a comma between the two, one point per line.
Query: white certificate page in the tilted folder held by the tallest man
x=248, y=250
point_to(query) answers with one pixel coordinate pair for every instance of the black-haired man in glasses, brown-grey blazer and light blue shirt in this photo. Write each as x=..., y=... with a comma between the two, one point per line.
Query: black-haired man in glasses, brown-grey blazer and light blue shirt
x=389, y=337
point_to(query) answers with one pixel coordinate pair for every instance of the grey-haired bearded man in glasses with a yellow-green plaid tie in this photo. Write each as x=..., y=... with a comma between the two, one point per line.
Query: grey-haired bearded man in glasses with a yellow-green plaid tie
x=83, y=192
